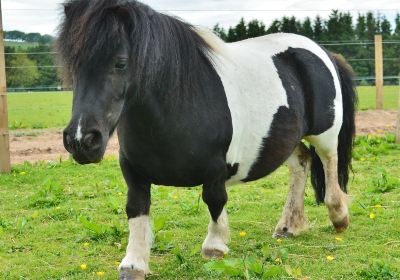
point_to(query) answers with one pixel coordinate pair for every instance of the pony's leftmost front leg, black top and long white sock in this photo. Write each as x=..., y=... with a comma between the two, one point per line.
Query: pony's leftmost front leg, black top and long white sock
x=135, y=264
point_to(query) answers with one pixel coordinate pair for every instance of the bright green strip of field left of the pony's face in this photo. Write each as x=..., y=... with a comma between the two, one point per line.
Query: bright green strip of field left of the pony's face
x=39, y=110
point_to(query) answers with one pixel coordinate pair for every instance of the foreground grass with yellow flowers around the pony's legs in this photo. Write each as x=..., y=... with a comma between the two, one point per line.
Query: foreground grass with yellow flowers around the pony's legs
x=48, y=211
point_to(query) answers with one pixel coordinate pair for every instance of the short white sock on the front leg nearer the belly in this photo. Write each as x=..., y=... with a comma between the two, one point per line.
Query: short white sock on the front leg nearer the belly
x=218, y=234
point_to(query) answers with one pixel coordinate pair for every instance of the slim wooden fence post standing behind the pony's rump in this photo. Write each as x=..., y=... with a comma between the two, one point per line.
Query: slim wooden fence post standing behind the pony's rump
x=379, y=71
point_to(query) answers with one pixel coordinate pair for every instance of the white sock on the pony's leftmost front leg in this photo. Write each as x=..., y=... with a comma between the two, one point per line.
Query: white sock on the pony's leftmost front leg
x=138, y=250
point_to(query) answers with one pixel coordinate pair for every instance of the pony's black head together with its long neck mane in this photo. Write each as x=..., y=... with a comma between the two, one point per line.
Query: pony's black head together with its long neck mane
x=115, y=52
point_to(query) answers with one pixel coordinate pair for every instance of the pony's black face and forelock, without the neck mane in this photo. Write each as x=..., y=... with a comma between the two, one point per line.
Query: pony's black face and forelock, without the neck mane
x=94, y=49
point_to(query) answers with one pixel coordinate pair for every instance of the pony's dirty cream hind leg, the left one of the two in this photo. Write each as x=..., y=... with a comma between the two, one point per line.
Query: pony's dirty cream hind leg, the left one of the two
x=293, y=219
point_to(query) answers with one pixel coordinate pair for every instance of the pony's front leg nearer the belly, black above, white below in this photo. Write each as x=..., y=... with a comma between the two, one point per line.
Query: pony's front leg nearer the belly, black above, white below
x=215, y=196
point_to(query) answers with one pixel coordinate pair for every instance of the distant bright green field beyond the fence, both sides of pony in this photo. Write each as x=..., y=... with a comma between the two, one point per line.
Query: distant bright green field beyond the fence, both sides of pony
x=46, y=110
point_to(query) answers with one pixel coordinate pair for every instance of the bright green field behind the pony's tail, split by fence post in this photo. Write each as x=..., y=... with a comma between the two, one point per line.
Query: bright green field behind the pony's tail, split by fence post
x=367, y=97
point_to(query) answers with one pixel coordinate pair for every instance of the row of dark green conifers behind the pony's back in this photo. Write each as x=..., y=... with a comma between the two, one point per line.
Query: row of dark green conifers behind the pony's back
x=338, y=28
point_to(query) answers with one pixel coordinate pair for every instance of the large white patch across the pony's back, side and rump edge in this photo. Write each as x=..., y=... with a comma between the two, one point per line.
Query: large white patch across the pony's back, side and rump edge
x=255, y=92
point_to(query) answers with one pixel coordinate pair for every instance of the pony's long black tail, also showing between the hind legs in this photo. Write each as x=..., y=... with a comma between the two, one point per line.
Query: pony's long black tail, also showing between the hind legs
x=346, y=135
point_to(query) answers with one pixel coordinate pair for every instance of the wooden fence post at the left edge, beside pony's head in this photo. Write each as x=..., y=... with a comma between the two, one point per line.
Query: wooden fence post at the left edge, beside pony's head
x=5, y=166
